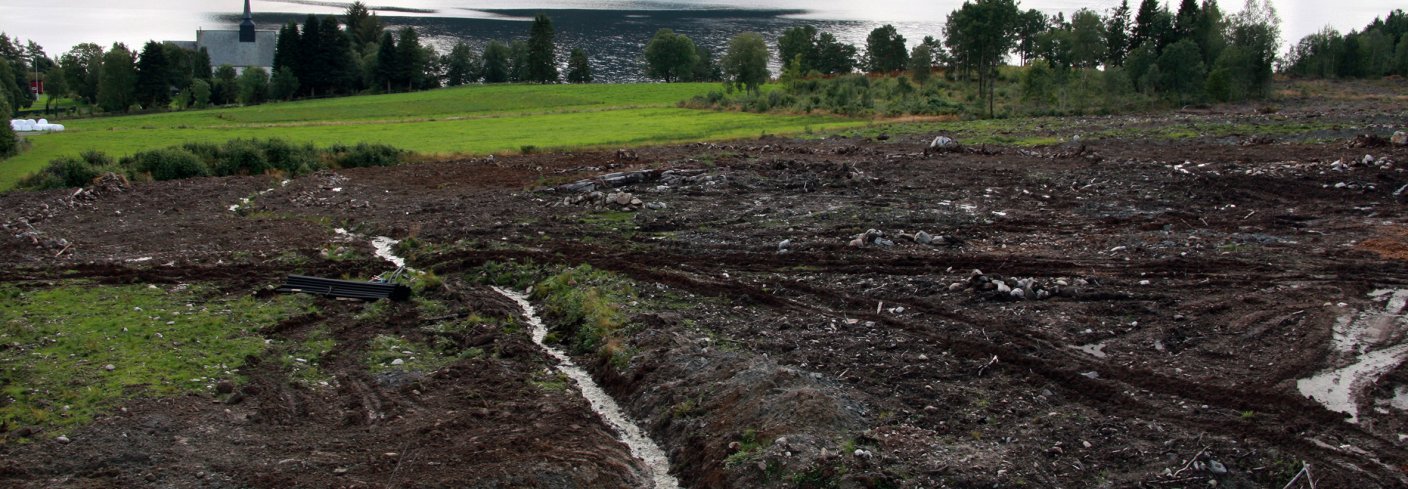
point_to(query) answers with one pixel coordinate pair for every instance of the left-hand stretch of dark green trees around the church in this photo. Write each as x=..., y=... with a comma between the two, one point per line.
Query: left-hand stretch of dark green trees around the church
x=323, y=57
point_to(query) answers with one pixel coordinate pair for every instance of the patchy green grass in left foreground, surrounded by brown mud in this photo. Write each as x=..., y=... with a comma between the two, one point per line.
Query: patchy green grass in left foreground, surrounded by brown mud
x=58, y=343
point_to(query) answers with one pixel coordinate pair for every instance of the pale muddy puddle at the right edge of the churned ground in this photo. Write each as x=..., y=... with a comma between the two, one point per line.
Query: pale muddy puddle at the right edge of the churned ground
x=1374, y=342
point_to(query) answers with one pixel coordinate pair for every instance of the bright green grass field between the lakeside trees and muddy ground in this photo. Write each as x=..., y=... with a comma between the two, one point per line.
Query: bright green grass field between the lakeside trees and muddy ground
x=464, y=120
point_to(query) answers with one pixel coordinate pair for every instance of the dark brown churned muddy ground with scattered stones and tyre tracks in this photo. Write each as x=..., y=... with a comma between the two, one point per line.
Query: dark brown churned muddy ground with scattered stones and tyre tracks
x=1178, y=298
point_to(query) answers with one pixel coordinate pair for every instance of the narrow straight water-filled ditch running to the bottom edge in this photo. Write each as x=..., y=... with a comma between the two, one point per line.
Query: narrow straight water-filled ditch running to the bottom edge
x=641, y=446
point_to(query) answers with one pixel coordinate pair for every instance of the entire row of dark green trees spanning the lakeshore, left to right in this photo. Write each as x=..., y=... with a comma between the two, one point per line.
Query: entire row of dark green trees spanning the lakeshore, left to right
x=1186, y=56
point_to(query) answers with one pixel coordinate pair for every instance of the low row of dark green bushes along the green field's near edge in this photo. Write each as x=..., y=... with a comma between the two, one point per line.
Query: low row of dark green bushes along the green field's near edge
x=192, y=160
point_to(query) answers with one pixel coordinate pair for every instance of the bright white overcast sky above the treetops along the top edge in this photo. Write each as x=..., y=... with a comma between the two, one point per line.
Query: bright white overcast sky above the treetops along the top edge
x=63, y=23
